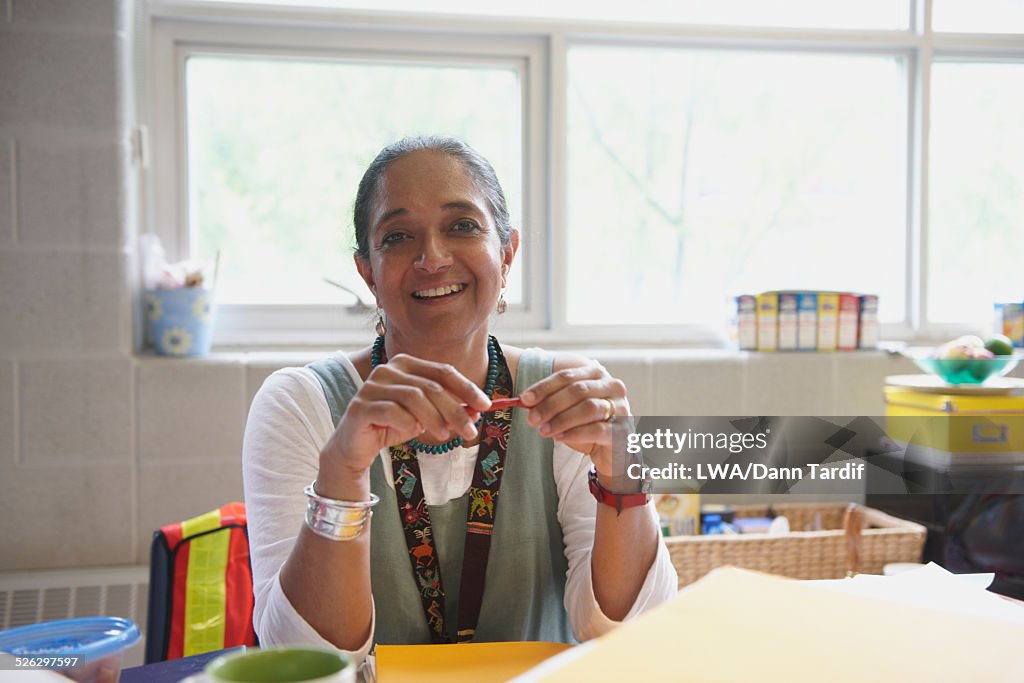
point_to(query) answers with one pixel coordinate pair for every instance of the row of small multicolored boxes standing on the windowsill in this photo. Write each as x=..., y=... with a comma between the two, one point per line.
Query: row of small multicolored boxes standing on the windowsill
x=807, y=321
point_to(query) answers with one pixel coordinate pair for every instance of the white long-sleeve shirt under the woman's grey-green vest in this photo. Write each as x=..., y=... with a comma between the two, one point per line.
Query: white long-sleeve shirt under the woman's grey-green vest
x=290, y=422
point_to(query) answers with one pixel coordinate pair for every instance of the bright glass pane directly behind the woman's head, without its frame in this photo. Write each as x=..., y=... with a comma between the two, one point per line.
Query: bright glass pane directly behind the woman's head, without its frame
x=276, y=198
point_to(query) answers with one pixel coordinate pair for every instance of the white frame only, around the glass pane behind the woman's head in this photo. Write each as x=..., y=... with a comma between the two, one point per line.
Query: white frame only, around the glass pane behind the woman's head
x=175, y=39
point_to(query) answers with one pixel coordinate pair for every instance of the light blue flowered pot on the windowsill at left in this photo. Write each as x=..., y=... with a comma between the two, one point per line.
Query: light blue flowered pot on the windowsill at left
x=180, y=322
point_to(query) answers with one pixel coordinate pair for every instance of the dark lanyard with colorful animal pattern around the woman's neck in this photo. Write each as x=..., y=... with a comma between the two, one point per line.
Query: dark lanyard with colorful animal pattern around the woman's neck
x=480, y=526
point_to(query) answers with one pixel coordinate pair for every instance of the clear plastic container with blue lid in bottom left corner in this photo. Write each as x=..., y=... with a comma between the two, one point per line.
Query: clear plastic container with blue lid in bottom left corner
x=98, y=644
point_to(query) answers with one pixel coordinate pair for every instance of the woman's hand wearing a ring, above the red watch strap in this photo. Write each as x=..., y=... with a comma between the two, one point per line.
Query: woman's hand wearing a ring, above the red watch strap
x=575, y=406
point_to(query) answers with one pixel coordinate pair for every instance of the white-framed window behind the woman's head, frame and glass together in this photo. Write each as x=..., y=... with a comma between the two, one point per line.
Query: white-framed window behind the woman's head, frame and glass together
x=263, y=133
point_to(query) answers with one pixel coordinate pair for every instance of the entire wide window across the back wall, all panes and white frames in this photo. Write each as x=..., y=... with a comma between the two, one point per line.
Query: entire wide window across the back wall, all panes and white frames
x=659, y=158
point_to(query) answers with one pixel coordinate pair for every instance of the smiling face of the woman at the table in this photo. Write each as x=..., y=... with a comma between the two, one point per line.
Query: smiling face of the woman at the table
x=437, y=265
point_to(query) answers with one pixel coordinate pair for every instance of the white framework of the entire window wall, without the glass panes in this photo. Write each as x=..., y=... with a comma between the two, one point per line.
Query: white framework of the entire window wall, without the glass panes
x=172, y=30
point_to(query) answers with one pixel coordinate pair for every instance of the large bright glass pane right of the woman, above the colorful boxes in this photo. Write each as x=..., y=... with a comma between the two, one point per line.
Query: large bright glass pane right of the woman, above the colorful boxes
x=753, y=172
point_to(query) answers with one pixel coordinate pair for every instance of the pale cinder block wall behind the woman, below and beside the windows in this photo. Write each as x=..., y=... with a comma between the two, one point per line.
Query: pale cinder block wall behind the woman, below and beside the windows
x=99, y=446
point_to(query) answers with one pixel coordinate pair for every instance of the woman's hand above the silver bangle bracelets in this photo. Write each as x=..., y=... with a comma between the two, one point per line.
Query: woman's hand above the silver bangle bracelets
x=402, y=400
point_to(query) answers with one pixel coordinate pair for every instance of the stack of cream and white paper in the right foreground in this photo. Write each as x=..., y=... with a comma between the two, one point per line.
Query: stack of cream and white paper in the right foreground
x=742, y=626
